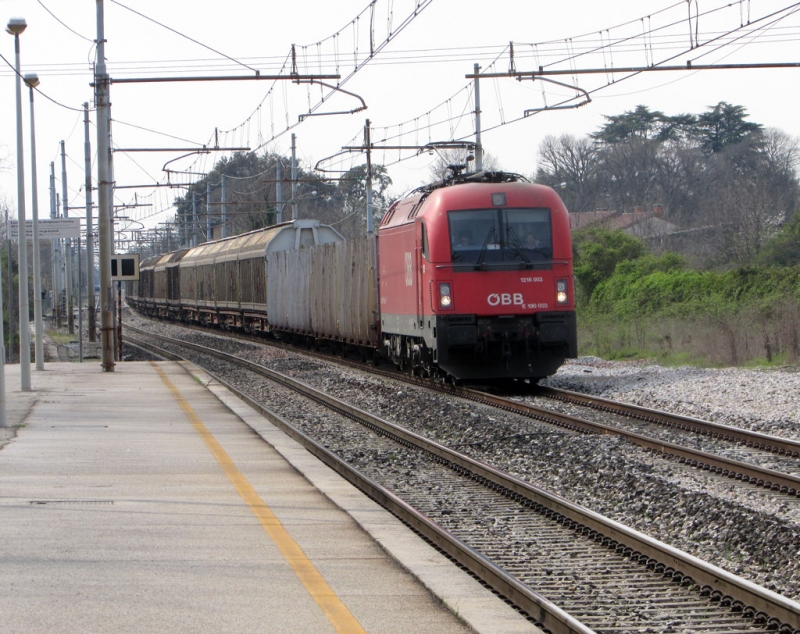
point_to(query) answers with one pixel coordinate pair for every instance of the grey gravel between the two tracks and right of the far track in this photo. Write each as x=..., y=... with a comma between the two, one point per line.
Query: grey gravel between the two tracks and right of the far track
x=741, y=528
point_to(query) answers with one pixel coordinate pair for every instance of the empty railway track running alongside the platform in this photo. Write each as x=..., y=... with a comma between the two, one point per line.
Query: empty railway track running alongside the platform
x=534, y=548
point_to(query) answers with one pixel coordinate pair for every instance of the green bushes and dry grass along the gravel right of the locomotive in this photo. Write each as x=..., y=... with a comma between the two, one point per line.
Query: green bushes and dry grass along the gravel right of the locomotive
x=657, y=307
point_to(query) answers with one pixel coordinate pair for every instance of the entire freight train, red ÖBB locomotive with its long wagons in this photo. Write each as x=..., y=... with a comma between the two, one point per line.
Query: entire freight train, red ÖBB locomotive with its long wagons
x=469, y=279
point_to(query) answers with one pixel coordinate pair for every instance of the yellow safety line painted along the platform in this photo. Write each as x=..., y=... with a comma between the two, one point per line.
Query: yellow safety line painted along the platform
x=336, y=612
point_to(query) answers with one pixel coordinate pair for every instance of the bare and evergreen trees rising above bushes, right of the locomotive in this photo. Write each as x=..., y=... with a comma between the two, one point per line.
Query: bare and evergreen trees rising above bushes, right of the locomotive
x=728, y=180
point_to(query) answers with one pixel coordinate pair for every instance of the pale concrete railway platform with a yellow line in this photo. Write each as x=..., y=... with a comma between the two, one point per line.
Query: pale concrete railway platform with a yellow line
x=150, y=499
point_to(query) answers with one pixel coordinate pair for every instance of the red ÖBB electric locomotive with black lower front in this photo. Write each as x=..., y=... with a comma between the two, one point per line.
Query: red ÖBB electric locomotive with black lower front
x=476, y=279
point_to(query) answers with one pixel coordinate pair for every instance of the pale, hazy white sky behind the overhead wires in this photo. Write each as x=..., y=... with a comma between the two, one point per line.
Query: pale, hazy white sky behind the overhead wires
x=414, y=86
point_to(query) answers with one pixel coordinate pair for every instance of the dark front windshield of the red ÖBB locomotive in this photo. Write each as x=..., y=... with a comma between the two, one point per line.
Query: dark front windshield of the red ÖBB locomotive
x=500, y=236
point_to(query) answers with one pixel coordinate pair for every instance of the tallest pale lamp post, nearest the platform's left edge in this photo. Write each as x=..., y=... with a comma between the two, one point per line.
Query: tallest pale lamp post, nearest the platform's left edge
x=15, y=27
